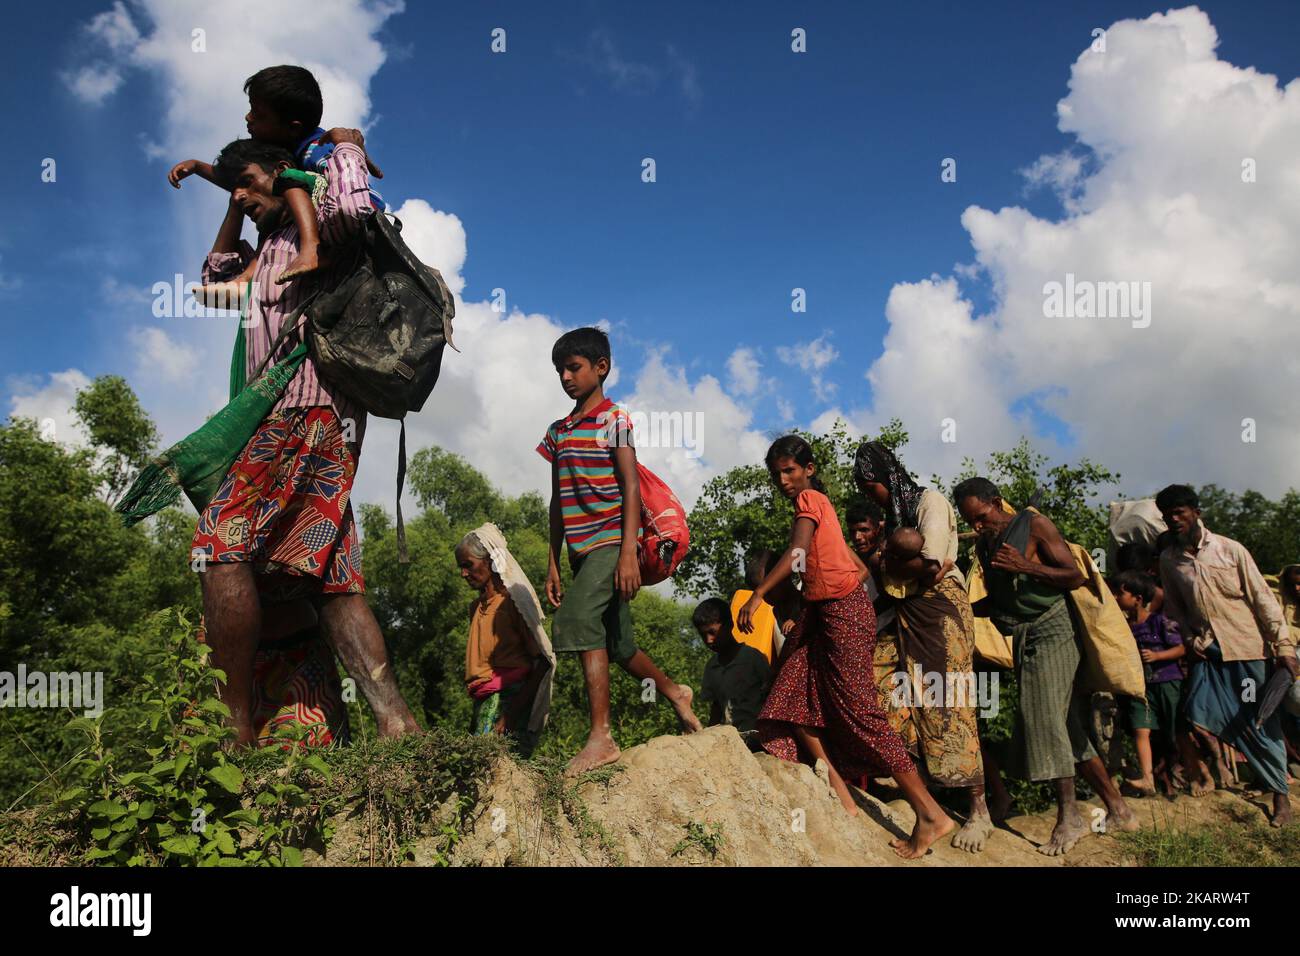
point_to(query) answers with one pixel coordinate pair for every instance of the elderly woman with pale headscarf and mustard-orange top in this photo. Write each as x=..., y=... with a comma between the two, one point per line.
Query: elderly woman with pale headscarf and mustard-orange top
x=509, y=659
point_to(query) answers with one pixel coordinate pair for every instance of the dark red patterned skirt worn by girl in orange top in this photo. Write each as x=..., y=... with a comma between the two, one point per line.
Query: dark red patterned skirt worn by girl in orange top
x=827, y=684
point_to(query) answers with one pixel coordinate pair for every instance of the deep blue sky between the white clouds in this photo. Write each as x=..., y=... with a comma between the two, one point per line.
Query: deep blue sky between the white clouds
x=820, y=171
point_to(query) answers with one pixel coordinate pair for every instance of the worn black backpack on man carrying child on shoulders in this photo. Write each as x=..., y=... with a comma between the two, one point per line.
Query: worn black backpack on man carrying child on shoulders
x=378, y=336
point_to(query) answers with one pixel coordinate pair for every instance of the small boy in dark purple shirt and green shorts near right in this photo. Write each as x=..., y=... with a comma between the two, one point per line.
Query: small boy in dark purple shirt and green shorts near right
x=1162, y=648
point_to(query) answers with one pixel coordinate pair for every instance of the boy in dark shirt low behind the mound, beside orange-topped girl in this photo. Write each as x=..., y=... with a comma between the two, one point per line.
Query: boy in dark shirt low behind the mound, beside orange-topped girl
x=738, y=677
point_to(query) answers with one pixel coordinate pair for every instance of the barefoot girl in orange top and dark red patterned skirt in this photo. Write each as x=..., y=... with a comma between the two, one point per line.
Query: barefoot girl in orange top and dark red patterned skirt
x=824, y=700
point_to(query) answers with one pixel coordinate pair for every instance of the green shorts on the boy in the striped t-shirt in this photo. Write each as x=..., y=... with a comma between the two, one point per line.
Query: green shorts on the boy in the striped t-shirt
x=592, y=616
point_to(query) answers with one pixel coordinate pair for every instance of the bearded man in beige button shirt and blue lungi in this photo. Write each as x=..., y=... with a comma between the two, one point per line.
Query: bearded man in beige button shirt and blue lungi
x=1232, y=625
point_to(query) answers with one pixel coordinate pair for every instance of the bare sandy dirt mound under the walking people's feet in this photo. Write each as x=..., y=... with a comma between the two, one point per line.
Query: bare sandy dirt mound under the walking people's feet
x=707, y=801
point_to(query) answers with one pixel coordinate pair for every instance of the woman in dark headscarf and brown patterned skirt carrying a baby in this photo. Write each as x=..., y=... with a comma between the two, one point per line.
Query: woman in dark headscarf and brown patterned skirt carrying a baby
x=935, y=631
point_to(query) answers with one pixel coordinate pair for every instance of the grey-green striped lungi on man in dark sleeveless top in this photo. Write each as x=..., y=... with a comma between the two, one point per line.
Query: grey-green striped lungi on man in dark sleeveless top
x=1051, y=716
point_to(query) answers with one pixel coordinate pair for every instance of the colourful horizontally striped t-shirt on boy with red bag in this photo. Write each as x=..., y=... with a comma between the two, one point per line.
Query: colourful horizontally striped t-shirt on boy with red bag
x=583, y=453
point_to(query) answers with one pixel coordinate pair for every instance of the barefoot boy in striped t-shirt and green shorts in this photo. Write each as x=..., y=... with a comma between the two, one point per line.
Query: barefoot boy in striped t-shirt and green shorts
x=596, y=511
